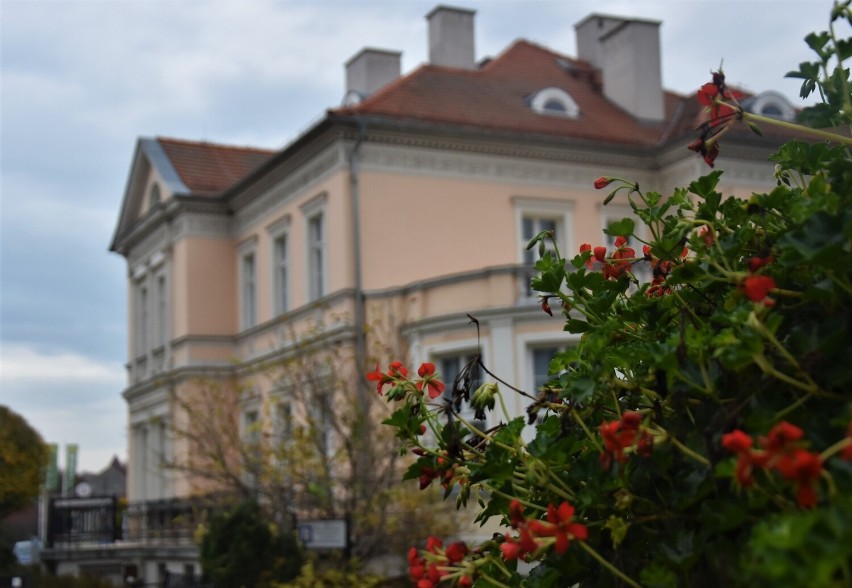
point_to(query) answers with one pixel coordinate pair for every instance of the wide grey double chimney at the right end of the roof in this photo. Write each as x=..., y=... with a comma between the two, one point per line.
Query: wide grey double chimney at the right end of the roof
x=627, y=51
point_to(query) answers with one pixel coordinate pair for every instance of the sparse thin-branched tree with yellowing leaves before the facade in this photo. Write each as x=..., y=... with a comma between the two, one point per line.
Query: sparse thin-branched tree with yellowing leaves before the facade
x=312, y=448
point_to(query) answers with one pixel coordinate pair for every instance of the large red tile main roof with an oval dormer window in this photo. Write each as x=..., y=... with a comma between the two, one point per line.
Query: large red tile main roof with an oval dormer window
x=496, y=97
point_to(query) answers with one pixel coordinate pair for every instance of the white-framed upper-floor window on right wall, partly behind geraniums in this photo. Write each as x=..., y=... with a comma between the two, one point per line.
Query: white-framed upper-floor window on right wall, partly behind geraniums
x=532, y=216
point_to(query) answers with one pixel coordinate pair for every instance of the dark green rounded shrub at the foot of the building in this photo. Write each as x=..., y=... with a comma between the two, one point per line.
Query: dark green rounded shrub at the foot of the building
x=241, y=548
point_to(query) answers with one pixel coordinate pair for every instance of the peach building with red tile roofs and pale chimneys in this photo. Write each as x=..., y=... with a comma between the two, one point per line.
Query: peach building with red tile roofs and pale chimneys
x=409, y=204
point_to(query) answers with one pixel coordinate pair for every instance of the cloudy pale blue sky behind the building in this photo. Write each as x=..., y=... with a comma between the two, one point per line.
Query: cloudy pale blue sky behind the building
x=80, y=81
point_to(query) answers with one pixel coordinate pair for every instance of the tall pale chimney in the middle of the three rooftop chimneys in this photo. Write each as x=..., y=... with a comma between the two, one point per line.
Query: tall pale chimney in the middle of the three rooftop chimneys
x=451, y=37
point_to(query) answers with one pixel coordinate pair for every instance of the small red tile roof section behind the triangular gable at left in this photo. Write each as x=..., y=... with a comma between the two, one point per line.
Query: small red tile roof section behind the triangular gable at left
x=207, y=168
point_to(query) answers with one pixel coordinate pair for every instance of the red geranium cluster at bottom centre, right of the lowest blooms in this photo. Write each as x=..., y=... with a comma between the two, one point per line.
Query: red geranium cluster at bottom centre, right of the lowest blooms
x=559, y=525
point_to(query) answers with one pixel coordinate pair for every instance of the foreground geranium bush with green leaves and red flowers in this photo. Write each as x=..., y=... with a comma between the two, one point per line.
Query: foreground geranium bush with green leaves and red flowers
x=700, y=432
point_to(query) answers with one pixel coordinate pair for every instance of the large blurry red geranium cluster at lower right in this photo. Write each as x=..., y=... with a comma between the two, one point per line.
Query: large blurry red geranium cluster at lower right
x=781, y=450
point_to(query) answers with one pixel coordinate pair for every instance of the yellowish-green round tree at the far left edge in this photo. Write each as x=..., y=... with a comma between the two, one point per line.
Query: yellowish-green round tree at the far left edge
x=23, y=459
